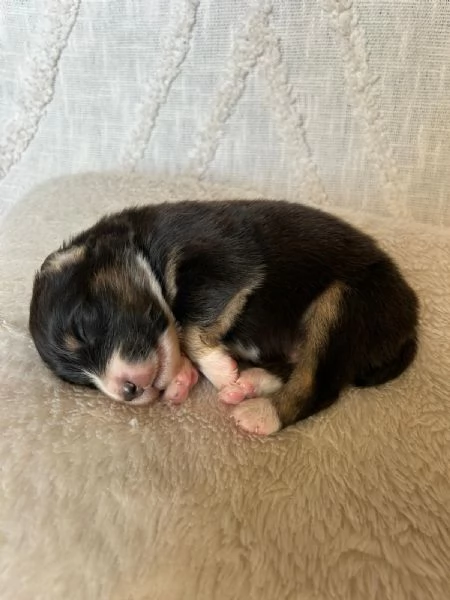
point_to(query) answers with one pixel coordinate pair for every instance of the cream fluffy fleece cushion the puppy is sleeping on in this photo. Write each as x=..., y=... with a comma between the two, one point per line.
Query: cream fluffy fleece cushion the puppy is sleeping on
x=100, y=501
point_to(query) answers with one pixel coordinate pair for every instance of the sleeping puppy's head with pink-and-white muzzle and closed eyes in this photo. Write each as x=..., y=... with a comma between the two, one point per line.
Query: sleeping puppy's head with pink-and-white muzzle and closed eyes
x=98, y=318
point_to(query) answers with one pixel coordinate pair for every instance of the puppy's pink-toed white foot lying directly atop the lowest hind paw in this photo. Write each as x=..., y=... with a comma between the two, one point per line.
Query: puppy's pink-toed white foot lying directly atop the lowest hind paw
x=250, y=384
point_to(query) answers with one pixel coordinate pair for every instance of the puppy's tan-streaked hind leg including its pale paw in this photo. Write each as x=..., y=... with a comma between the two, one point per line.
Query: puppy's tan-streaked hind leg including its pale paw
x=295, y=400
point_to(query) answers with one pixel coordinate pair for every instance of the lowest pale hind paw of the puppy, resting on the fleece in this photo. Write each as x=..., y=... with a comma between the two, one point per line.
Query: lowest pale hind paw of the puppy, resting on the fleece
x=257, y=415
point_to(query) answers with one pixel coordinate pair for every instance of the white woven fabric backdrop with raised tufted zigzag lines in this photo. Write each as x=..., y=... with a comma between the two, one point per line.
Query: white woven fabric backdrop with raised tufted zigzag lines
x=336, y=101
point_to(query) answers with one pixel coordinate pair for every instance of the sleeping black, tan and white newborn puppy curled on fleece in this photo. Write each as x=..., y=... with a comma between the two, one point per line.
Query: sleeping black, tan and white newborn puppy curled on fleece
x=133, y=303
